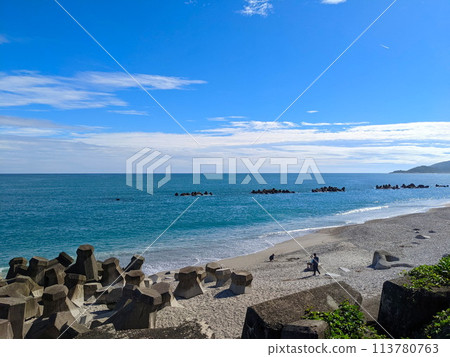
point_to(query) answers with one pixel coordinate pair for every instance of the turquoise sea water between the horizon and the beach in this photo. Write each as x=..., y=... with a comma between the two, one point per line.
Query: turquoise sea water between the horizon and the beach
x=45, y=214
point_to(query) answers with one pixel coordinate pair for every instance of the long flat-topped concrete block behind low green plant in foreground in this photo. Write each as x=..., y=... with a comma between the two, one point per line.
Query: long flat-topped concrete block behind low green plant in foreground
x=267, y=319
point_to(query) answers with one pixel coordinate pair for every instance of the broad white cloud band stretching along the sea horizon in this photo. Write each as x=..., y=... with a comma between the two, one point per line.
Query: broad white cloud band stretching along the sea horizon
x=31, y=146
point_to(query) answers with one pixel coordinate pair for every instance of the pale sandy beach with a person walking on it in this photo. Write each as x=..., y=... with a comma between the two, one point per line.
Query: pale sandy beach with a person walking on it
x=349, y=247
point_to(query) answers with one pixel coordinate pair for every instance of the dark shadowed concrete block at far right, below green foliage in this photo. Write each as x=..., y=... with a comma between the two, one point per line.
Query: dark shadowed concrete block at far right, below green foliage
x=404, y=310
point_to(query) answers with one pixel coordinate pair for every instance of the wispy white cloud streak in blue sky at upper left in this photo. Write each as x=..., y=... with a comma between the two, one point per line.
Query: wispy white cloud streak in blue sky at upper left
x=83, y=90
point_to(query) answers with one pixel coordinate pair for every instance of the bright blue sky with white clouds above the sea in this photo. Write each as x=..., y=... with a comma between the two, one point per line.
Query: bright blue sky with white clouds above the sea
x=86, y=84
